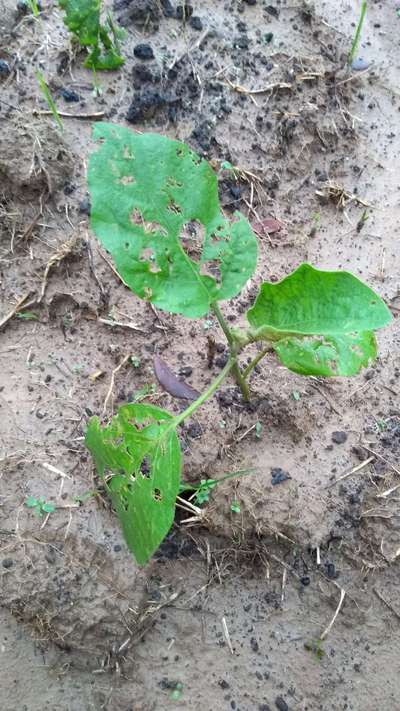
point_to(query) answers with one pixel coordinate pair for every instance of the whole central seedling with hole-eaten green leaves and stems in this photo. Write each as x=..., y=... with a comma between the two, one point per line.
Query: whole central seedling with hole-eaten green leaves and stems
x=155, y=208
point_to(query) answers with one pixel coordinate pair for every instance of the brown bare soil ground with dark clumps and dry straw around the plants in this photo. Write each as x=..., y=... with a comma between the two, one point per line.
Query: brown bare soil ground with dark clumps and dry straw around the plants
x=241, y=611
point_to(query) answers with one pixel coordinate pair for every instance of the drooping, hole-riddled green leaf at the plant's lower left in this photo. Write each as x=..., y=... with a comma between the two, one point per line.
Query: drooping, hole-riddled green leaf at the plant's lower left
x=138, y=456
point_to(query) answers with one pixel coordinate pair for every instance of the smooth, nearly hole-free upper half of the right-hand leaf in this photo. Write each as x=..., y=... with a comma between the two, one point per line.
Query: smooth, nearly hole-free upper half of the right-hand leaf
x=311, y=301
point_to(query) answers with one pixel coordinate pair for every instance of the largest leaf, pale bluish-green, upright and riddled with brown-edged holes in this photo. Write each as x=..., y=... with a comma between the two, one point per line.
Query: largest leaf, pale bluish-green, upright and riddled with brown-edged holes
x=152, y=200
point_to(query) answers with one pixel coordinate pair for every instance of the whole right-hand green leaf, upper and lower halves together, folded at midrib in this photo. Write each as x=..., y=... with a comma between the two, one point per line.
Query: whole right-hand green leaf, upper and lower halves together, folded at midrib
x=319, y=322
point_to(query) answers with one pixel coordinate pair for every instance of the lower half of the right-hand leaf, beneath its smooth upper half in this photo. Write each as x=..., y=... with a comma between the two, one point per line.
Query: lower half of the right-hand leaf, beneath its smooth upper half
x=327, y=355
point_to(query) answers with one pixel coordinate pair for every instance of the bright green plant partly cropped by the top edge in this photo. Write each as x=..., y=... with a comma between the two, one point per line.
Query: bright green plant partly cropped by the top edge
x=83, y=19
